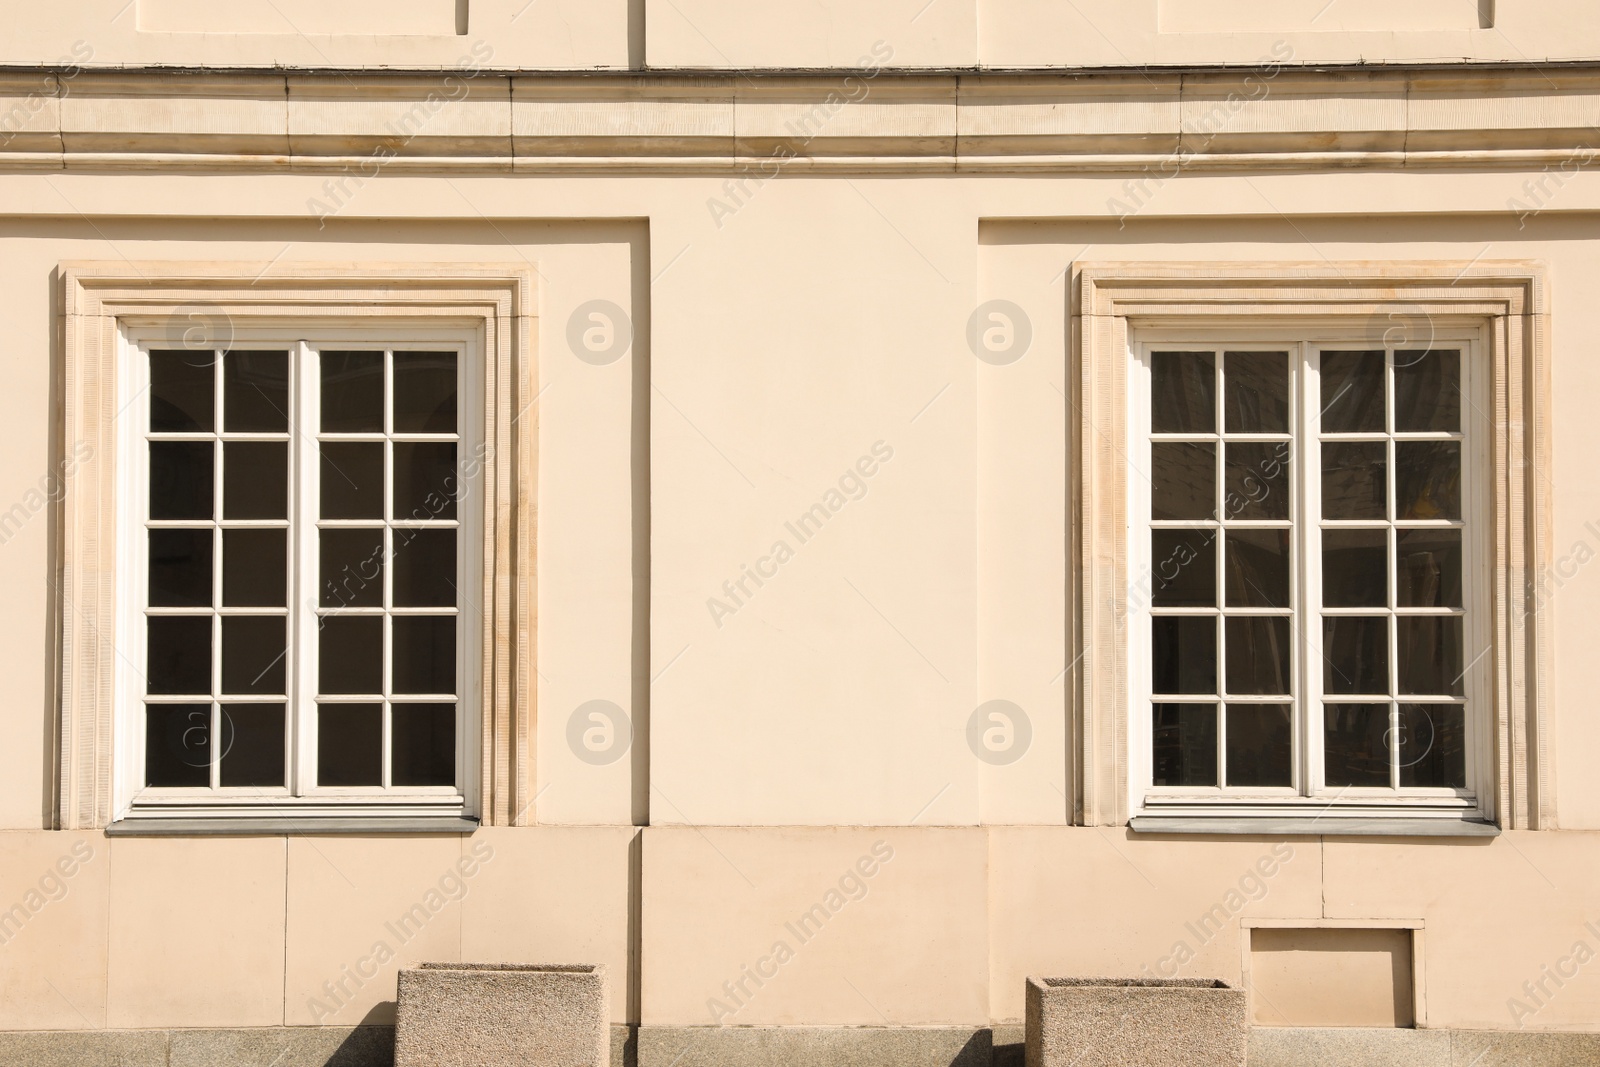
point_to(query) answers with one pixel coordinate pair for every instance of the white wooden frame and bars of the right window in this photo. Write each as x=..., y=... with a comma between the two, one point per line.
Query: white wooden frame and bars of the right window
x=1310, y=796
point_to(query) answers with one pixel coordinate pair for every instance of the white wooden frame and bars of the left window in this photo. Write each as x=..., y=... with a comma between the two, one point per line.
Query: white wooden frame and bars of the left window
x=302, y=797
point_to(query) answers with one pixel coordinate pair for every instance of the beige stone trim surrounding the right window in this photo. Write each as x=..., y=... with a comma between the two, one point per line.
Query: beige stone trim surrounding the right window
x=1495, y=308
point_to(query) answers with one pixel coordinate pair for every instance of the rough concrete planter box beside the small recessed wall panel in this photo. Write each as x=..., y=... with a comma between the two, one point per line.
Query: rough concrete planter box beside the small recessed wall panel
x=1135, y=1023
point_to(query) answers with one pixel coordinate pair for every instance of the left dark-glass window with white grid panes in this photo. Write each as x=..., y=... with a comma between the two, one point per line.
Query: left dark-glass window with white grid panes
x=308, y=545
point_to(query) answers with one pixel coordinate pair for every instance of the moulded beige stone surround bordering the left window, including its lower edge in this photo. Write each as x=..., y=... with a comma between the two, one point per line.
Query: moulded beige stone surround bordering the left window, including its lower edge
x=111, y=316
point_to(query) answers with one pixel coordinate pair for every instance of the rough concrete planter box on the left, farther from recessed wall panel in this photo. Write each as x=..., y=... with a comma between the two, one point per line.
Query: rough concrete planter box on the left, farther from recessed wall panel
x=486, y=1015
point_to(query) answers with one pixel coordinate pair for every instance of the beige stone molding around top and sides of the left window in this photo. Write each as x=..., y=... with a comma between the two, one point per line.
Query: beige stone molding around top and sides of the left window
x=199, y=306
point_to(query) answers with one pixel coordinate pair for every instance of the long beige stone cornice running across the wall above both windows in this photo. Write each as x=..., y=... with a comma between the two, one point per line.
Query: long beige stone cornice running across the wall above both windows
x=1156, y=124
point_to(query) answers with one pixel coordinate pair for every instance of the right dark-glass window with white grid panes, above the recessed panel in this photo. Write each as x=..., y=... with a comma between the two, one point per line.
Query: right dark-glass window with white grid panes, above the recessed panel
x=1306, y=577
